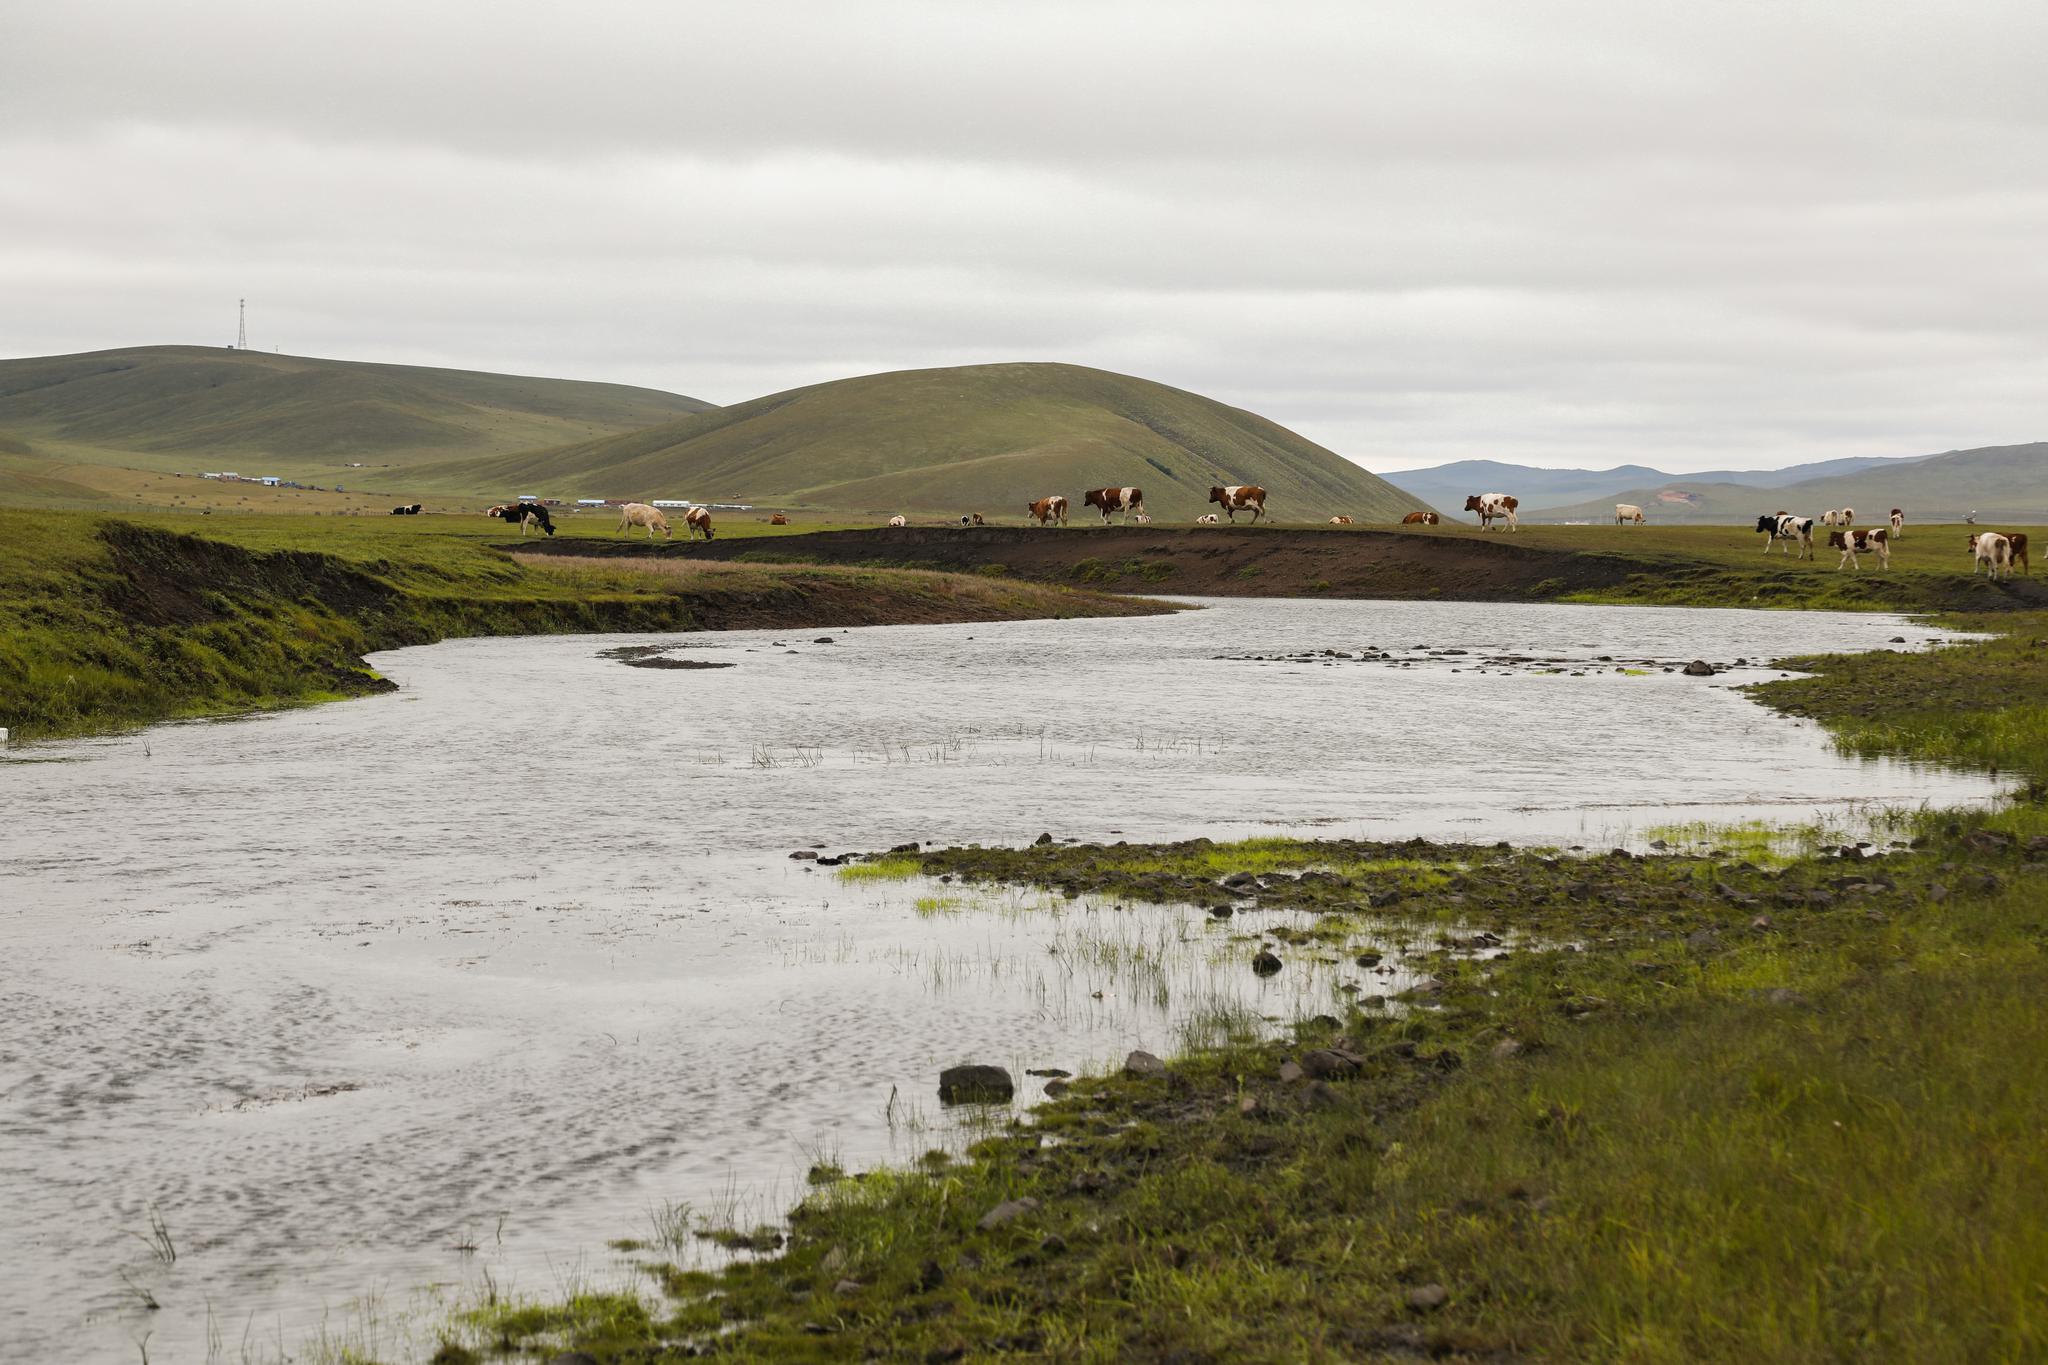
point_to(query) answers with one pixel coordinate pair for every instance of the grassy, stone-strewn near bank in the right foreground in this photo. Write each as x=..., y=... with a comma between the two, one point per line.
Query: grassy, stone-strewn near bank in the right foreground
x=1746, y=1100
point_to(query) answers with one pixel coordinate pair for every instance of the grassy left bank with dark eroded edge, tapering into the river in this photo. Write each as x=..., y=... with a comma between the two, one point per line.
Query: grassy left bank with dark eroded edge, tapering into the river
x=124, y=621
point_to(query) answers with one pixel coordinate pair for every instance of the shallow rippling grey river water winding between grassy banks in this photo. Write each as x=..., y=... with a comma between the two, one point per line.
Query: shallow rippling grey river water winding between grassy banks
x=515, y=955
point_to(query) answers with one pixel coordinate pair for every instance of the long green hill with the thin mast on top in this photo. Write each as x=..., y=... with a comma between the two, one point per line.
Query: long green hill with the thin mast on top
x=294, y=416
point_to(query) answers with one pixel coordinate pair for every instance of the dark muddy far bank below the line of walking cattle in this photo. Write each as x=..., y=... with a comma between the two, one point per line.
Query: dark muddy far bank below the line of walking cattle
x=1295, y=562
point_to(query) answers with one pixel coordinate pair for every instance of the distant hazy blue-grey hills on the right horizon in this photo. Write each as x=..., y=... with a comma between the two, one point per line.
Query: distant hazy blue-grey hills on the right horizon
x=2002, y=484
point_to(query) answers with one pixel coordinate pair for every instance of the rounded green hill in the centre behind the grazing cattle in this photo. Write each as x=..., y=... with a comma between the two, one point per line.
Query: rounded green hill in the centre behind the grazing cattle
x=988, y=439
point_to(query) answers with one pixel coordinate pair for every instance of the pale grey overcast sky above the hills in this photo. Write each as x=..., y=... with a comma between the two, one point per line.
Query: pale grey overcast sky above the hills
x=1568, y=234
